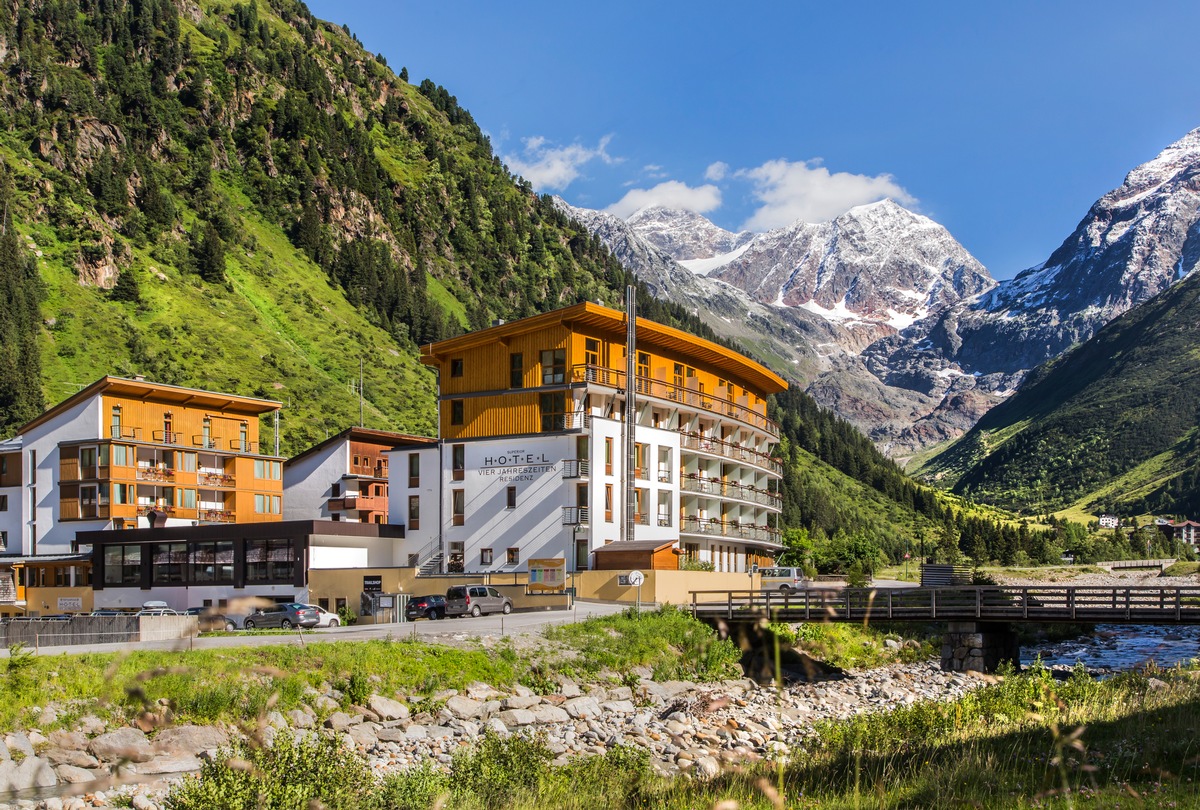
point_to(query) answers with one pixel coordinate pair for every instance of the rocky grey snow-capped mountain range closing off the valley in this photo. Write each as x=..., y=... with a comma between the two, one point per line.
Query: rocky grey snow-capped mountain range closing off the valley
x=890, y=322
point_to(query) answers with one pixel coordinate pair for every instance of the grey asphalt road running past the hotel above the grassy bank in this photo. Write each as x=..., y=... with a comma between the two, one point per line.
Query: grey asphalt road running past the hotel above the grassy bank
x=424, y=629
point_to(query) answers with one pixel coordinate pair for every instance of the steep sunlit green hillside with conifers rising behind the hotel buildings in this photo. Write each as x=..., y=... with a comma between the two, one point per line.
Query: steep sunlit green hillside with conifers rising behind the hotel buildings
x=237, y=196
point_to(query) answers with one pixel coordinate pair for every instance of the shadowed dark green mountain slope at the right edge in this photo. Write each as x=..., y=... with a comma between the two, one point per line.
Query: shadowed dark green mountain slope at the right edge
x=1112, y=427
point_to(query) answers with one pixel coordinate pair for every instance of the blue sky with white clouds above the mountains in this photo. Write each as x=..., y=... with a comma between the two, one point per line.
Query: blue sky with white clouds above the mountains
x=1003, y=122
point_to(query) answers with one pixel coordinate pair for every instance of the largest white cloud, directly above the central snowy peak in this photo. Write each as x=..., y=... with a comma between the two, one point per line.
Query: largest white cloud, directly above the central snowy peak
x=808, y=191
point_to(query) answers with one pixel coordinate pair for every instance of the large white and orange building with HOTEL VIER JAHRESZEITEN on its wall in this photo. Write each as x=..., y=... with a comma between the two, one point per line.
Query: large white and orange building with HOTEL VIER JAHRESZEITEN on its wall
x=535, y=461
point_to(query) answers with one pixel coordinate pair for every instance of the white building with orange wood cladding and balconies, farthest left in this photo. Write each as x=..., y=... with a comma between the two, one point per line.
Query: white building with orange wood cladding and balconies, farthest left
x=121, y=452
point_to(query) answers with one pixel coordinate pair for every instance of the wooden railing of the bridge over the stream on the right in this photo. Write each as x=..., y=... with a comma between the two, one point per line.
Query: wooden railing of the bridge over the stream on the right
x=989, y=603
